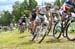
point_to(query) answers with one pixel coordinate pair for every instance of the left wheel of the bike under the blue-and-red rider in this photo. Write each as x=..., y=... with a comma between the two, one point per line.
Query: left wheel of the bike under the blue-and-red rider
x=57, y=30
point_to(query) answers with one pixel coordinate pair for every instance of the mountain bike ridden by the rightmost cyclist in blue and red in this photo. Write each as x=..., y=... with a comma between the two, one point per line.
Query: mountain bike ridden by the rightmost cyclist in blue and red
x=60, y=27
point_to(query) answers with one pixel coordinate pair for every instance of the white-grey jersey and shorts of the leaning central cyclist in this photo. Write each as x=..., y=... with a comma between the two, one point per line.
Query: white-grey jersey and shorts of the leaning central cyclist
x=42, y=15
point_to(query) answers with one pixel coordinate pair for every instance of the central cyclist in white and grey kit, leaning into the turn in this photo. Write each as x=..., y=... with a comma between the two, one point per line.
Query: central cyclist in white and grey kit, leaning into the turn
x=40, y=15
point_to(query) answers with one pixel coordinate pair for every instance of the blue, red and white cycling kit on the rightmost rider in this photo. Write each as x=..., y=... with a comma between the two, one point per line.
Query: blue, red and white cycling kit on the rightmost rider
x=67, y=7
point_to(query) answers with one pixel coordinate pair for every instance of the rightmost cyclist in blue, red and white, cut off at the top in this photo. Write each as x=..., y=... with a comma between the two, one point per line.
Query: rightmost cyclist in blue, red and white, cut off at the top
x=68, y=6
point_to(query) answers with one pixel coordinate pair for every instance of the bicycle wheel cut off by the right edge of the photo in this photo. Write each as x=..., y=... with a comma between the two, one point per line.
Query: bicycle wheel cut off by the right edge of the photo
x=70, y=31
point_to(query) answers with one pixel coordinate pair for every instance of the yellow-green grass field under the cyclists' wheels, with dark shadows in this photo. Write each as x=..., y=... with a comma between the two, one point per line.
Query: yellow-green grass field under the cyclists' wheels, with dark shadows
x=15, y=40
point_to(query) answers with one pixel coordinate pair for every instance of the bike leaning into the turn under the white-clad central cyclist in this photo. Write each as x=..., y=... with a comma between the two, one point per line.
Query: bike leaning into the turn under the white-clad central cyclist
x=41, y=31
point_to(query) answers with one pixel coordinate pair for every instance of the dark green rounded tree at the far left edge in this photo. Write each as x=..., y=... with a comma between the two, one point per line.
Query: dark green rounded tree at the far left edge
x=6, y=18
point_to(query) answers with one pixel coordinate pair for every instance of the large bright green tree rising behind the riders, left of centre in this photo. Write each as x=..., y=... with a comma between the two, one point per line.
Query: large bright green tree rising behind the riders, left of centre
x=23, y=8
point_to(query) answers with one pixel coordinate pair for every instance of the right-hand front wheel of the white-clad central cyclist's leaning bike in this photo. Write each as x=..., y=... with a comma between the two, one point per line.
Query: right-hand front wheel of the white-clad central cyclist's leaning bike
x=41, y=33
